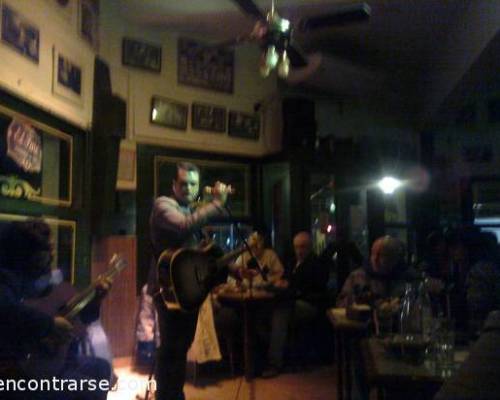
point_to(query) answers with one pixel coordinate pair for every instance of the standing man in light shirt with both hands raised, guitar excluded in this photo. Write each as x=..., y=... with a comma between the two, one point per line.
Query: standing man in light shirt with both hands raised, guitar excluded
x=173, y=225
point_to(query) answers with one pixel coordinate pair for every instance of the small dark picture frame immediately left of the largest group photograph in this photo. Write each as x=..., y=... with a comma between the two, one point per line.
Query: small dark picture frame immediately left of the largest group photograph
x=139, y=54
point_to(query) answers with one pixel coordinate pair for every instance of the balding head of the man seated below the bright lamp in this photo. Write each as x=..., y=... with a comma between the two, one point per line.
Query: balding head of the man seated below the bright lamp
x=387, y=252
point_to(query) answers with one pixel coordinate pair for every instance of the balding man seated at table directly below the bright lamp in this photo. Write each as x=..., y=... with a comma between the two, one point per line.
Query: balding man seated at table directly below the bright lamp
x=384, y=277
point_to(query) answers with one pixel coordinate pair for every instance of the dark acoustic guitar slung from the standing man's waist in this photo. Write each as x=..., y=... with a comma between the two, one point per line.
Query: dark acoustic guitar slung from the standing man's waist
x=187, y=275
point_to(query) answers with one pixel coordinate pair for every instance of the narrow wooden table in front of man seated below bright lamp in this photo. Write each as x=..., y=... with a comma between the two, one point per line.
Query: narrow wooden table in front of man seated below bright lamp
x=347, y=334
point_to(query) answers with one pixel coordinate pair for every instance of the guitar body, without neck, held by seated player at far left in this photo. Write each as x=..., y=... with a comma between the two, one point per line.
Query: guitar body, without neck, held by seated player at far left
x=44, y=361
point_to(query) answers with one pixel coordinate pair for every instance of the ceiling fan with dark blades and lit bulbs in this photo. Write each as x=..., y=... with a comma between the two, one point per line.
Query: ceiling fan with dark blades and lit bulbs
x=274, y=35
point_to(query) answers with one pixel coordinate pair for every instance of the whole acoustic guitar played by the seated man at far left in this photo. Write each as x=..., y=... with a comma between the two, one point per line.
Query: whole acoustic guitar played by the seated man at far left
x=47, y=359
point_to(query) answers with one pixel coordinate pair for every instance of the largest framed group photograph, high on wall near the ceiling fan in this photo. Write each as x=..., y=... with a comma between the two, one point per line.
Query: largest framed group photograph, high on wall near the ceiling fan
x=207, y=67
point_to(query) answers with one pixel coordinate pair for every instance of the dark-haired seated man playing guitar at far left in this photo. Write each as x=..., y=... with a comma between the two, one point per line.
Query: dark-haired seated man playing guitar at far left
x=26, y=254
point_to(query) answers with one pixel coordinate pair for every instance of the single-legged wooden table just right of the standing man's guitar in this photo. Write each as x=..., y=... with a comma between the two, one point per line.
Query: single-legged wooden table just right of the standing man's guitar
x=248, y=302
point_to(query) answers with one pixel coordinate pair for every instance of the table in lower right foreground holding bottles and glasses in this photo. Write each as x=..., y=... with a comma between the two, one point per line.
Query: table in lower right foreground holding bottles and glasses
x=397, y=378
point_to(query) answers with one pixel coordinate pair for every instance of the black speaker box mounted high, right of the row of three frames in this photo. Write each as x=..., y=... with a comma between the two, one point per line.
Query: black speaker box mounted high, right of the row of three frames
x=299, y=123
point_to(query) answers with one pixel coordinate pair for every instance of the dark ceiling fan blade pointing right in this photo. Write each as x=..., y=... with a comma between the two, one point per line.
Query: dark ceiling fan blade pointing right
x=344, y=16
